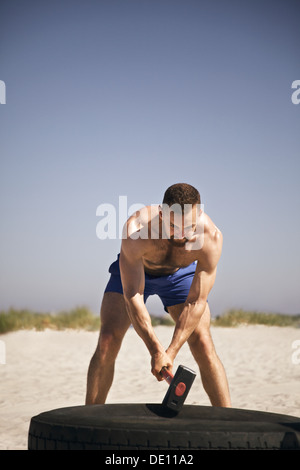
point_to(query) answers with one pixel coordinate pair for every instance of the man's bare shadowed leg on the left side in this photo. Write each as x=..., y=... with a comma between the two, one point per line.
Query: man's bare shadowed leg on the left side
x=114, y=324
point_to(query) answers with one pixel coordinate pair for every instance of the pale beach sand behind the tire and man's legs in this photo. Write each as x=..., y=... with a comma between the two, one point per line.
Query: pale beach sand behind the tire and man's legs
x=47, y=370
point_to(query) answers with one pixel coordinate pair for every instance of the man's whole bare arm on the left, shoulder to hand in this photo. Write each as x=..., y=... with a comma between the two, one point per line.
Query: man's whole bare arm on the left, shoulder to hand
x=133, y=281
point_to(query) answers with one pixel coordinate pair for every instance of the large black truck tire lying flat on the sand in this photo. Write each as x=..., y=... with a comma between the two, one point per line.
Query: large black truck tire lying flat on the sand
x=151, y=426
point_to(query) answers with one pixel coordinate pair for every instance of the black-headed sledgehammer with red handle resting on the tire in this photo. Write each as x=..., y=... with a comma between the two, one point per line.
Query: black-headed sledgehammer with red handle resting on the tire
x=179, y=387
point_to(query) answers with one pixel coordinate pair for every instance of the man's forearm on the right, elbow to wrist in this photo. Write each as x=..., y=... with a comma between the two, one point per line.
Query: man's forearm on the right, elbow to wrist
x=185, y=325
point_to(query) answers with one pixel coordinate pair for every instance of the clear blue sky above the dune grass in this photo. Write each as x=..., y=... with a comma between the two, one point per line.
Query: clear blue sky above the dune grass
x=109, y=98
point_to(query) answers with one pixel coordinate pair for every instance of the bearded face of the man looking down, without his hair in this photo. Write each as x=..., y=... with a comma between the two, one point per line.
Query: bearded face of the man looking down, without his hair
x=180, y=227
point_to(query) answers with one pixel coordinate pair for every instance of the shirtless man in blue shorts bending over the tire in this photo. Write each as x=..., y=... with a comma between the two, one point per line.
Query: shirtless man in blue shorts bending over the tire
x=174, y=255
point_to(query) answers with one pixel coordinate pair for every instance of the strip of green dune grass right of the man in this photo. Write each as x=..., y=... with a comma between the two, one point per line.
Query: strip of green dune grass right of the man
x=241, y=317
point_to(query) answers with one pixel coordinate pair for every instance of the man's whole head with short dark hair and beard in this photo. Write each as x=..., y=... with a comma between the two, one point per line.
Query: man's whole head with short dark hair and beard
x=180, y=213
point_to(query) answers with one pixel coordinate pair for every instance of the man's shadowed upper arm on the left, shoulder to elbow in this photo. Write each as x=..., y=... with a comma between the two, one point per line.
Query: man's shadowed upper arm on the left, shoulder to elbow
x=132, y=270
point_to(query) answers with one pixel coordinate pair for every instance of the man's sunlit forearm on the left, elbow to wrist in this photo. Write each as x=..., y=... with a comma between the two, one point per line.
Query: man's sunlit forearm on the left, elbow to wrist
x=141, y=322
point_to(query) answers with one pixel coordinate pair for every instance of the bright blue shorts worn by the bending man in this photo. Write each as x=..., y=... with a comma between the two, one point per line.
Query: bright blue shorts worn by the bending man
x=172, y=289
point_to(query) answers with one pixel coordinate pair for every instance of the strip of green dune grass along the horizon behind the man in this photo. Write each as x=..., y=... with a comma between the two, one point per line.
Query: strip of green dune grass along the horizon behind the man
x=83, y=318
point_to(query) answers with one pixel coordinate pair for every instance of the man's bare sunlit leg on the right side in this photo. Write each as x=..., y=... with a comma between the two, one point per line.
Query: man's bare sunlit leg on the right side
x=211, y=369
